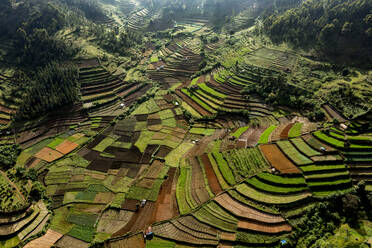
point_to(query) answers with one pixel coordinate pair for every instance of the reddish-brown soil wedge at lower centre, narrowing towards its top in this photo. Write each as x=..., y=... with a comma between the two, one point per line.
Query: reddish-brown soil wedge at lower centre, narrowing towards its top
x=164, y=204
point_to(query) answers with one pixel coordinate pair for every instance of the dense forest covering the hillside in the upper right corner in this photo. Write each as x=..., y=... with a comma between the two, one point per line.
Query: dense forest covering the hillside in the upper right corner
x=336, y=28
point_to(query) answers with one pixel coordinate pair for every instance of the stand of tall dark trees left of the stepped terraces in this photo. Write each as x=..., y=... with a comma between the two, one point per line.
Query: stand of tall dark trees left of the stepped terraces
x=52, y=86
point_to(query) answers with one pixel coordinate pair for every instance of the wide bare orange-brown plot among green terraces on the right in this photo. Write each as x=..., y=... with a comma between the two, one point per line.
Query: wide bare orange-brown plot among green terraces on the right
x=278, y=160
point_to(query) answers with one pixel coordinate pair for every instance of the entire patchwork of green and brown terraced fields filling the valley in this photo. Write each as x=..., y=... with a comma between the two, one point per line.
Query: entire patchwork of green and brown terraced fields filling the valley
x=188, y=154
